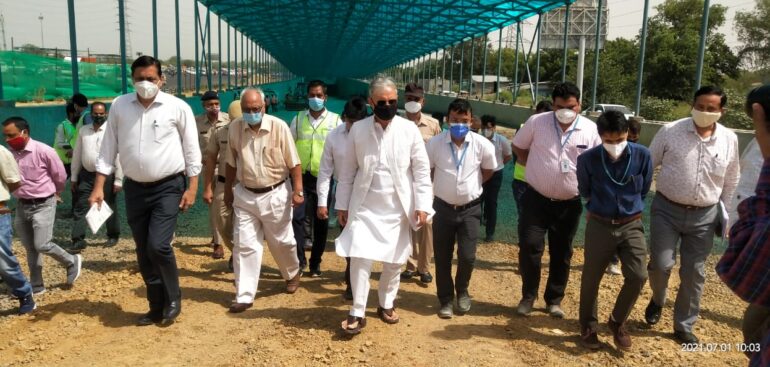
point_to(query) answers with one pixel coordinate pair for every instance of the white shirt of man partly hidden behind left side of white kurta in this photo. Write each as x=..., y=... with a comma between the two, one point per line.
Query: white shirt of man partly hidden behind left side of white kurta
x=336, y=147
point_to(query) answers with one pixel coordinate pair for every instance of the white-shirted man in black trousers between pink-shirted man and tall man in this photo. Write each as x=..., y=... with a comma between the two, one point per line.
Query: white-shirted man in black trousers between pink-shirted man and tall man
x=84, y=158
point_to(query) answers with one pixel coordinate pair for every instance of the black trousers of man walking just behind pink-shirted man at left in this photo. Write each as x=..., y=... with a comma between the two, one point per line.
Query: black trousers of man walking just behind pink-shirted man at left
x=80, y=202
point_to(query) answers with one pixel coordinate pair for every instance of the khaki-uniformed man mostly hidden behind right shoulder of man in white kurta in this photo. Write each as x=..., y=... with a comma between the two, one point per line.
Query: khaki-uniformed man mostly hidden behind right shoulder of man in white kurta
x=422, y=240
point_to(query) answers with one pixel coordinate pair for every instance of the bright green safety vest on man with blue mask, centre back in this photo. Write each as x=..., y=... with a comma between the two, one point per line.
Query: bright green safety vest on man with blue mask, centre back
x=310, y=141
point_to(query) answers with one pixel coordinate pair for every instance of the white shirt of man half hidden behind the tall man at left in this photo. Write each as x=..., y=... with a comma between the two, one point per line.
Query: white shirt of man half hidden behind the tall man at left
x=86, y=152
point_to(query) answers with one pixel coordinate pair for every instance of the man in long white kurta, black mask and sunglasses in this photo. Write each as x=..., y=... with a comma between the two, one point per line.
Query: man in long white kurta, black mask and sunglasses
x=384, y=190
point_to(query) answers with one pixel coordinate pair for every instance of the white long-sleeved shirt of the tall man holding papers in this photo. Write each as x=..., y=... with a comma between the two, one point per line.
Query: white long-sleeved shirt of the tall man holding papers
x=153, y=142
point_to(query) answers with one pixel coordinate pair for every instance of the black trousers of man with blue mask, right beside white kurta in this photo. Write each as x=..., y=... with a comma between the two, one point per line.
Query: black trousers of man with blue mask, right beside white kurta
x=450, y=225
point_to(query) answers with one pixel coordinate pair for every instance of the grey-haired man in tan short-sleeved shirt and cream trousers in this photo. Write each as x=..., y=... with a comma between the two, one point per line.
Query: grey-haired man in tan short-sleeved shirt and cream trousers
x=260, y=157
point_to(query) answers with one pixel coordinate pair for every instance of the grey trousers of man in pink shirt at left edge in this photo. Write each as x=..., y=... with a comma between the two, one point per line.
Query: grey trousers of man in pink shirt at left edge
x=34, y=224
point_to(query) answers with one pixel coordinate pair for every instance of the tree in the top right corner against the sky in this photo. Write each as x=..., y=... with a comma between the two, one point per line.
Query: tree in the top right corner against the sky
x=752, y=28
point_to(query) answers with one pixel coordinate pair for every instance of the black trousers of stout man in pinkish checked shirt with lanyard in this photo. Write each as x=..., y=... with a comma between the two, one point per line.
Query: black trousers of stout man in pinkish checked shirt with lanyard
x=559, y=221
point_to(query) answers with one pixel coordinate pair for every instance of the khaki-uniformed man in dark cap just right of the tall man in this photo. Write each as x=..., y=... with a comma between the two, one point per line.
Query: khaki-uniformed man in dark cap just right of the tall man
x=207, y=123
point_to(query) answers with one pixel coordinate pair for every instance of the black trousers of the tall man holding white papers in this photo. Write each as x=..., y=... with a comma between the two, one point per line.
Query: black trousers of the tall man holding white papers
x=152, y=213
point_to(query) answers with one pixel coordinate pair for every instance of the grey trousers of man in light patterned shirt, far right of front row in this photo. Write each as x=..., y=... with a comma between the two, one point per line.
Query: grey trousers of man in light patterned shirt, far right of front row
x=693, y=231
